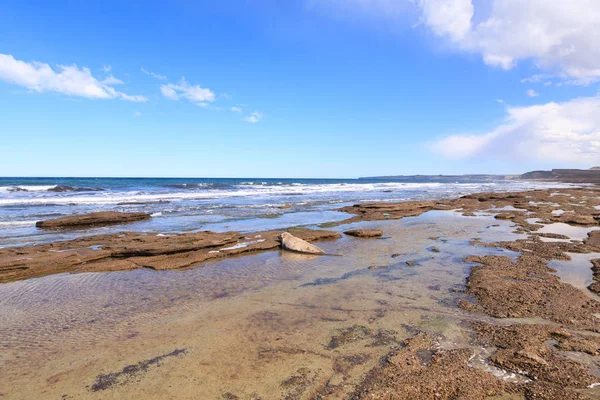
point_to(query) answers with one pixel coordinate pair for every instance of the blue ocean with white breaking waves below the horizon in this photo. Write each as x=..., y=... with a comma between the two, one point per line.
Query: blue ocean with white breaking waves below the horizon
x=217, y=204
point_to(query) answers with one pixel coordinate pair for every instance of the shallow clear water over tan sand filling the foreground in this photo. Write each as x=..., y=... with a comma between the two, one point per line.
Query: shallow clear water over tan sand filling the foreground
x=271, y=325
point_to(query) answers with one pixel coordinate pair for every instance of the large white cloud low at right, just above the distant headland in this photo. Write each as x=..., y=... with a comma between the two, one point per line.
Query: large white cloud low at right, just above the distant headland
x=566, y=132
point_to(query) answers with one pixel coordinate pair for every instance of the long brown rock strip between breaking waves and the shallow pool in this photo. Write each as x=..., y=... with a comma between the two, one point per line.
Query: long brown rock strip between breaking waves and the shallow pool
x=132, y=250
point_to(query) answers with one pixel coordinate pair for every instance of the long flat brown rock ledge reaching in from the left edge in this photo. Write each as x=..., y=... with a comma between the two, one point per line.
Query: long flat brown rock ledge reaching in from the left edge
x=129, y=250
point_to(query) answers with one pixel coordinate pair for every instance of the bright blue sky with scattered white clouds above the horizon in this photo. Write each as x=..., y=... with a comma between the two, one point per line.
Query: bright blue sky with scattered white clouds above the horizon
x=298, y=88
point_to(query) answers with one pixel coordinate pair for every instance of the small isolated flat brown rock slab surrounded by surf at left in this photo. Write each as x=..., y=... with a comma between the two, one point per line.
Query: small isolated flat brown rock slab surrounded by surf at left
x=92, y=219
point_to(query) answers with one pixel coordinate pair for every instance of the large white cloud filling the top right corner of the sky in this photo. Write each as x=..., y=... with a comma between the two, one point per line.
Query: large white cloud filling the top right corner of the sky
x=561, y=37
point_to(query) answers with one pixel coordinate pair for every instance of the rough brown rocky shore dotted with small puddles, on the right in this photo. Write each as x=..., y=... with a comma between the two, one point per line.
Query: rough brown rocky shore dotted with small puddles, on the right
x=503, y=287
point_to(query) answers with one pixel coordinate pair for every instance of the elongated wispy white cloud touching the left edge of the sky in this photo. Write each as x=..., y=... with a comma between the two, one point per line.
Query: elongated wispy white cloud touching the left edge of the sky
x=69, y=80
